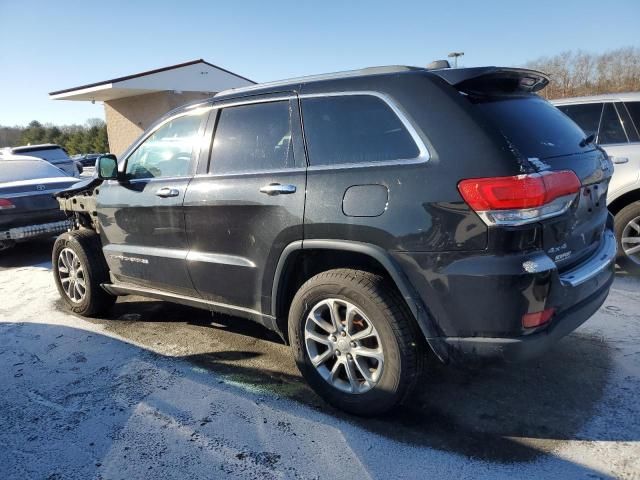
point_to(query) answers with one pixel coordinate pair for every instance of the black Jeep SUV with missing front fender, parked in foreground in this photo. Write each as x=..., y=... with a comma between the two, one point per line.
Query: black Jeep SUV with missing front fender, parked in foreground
x=374, y=219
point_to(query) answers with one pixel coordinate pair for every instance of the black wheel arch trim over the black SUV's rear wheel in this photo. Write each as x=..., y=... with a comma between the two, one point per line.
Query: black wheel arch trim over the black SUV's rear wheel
x=363, y=255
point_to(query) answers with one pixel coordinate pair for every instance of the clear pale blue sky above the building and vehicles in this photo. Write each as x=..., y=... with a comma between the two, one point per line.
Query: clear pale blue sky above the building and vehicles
x=56, y=44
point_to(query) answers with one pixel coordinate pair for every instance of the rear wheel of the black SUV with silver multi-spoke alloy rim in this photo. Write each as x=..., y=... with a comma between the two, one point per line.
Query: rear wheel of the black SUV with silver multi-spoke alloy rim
x=354, y=341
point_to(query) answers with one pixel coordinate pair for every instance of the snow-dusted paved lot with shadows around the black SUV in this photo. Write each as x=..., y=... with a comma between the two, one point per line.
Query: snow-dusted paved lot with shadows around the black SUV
x=164, y=391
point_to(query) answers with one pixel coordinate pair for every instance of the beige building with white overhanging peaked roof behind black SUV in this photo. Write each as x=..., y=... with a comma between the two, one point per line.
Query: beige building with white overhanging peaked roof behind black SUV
x=133, y=102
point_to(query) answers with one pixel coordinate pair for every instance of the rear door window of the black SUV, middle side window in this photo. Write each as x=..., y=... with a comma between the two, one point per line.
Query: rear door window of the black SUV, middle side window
x=251, y=138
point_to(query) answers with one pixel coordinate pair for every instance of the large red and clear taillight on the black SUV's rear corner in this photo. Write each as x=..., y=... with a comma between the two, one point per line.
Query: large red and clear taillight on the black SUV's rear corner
x=520, y=199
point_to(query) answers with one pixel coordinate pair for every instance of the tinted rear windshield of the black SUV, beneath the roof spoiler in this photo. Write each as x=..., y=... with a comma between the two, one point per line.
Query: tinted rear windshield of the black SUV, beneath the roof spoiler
x=533, y=126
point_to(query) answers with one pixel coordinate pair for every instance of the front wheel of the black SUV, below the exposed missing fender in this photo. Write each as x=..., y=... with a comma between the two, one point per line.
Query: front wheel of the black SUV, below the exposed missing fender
x=79, y=268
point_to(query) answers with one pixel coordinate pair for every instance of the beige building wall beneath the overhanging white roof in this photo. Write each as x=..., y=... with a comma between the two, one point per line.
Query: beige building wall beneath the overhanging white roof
x=128, y=117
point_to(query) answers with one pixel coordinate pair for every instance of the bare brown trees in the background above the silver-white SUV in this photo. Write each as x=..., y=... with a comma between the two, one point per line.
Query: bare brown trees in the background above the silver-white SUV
x=583, y=73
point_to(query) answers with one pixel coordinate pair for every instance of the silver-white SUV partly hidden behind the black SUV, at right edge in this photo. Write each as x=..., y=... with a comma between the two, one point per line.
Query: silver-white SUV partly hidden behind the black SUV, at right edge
x=614, y=122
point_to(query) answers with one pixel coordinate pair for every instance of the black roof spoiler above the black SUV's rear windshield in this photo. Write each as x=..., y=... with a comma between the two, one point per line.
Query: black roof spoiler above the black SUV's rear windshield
x=494, y=80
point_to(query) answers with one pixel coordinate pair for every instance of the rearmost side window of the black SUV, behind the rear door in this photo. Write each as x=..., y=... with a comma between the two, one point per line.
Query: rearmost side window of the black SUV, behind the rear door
x=352, y=129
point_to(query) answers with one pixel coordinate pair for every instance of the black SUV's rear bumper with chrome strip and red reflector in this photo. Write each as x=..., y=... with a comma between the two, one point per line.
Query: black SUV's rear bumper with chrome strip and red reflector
x=477, y=302
